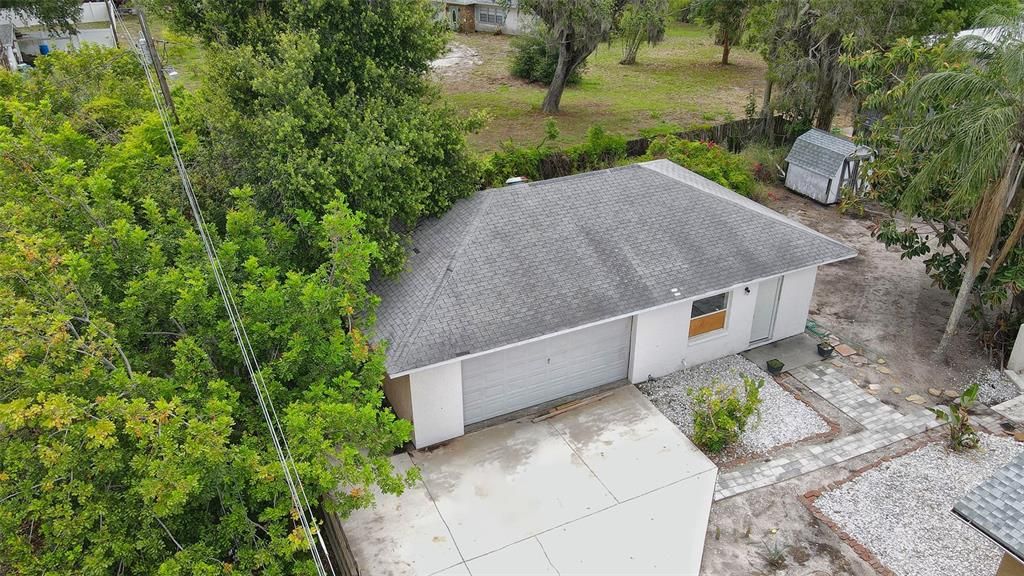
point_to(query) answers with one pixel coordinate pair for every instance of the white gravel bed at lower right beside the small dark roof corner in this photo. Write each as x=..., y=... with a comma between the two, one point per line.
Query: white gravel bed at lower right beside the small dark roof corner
x=901, y=511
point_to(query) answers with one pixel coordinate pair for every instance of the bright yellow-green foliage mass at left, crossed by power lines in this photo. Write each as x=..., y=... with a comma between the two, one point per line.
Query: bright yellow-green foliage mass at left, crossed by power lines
x=131, y=440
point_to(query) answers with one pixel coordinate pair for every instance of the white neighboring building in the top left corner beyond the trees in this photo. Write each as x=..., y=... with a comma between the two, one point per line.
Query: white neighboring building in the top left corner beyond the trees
x=31, y=38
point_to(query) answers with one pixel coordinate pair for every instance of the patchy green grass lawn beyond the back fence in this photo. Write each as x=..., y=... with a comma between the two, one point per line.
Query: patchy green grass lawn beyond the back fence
x=677, y=85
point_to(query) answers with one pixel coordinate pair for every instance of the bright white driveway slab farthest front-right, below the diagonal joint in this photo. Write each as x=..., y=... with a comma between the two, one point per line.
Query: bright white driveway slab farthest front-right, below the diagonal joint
x=658, y=533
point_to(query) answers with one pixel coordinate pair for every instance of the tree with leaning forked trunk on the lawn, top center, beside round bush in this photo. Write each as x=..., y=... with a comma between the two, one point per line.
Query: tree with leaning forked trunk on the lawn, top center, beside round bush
x=577, y=27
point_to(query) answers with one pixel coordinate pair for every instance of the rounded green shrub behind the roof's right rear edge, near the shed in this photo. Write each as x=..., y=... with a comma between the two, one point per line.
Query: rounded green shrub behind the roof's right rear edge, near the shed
x=709, y=160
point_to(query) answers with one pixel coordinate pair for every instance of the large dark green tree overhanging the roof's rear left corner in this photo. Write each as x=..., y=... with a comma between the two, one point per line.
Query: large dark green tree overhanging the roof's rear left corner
x=308, y=110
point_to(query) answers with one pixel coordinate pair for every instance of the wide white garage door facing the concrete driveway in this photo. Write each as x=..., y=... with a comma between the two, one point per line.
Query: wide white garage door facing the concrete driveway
x=530, y=375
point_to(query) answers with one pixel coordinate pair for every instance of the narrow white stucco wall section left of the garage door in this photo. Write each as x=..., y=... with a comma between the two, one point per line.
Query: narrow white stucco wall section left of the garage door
x=437, y=395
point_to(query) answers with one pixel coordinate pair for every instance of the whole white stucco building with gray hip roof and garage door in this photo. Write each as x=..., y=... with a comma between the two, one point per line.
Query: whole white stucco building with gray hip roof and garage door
x=532, y=293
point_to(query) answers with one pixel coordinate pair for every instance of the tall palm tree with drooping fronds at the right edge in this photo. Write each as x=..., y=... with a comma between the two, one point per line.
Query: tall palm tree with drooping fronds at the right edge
x=974, y=134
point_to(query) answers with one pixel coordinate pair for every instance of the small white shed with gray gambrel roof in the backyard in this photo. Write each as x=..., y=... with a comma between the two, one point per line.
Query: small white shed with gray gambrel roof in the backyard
x=821, y=166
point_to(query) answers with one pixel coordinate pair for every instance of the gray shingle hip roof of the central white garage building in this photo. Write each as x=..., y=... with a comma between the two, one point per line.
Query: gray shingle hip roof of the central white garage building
x=521, y=262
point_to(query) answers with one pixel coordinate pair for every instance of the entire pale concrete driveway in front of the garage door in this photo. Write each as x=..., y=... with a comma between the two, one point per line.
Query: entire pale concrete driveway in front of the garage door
x=609, y=488
